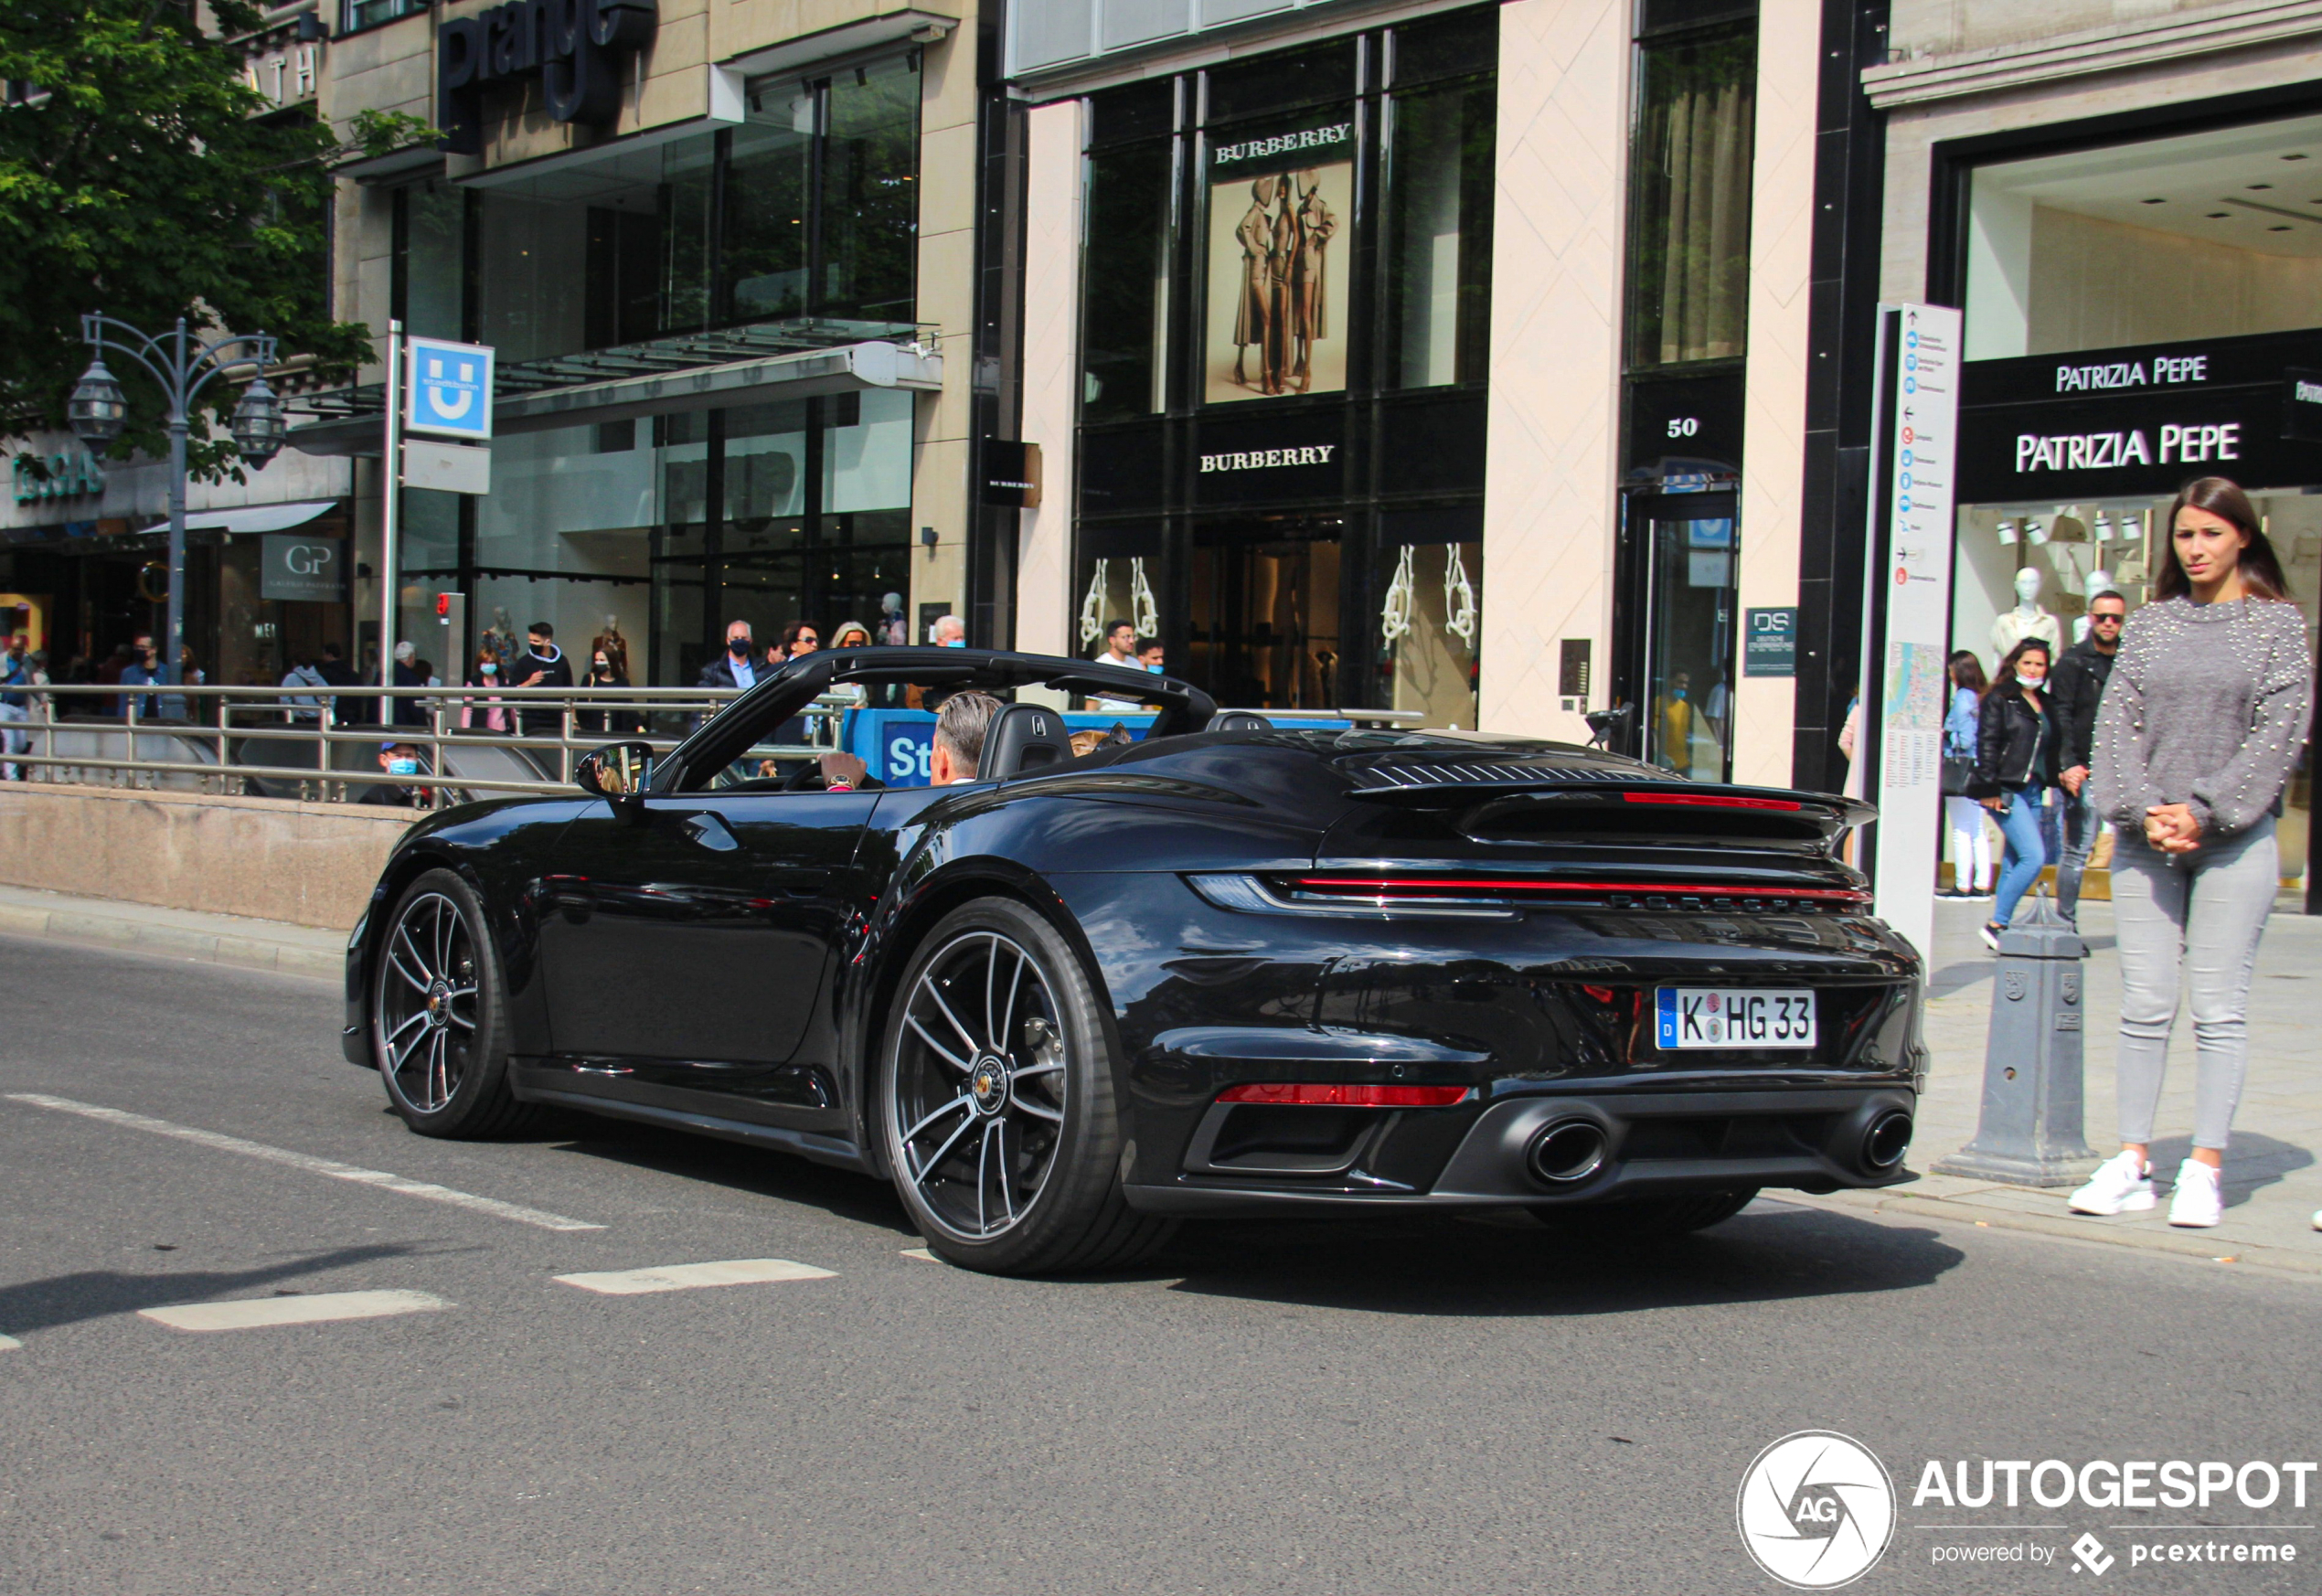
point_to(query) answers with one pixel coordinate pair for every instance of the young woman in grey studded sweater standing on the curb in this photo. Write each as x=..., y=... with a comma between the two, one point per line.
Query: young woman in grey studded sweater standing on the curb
x=2195, y=742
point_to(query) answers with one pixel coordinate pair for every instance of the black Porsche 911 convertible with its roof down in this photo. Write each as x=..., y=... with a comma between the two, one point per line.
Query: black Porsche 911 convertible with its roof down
x=1220, y=970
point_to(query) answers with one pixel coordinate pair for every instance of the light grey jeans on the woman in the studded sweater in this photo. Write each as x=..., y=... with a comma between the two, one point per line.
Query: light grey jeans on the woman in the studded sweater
x=2207, y=907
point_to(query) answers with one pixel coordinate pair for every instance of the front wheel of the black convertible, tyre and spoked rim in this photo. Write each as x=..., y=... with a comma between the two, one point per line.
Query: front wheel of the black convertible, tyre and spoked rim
x=440, y=1014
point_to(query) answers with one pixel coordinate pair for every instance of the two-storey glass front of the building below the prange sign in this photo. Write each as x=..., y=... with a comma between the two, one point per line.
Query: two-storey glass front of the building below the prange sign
x=658, y=531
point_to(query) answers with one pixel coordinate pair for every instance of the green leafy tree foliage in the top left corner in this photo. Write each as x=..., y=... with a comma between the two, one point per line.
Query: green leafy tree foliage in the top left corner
x=145, y=178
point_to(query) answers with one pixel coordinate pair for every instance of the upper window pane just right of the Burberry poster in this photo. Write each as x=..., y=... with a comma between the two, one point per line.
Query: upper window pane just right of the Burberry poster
x=1438, y=254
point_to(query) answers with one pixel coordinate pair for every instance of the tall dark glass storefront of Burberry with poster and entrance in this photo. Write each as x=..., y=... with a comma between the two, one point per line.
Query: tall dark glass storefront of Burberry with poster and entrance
x=1283, y=371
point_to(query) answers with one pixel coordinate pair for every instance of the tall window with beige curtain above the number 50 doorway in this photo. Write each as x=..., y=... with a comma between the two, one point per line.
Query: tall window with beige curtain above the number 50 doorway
x=1689, y=199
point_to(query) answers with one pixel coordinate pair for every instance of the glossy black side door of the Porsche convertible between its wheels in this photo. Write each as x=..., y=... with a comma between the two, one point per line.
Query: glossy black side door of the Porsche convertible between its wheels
x=686, y=947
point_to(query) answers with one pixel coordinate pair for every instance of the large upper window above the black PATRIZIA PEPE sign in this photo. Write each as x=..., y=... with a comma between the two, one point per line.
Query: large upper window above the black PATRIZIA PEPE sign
x=2186, y=238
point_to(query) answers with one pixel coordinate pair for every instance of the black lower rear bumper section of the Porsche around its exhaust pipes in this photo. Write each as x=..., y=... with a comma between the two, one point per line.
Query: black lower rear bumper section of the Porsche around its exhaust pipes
x=1652, y=1144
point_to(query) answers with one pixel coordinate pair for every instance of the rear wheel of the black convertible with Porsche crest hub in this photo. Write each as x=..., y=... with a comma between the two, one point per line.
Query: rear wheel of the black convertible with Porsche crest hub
x=997, y=1102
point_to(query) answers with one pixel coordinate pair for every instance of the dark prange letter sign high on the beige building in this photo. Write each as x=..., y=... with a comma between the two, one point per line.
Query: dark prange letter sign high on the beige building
x=575, y=48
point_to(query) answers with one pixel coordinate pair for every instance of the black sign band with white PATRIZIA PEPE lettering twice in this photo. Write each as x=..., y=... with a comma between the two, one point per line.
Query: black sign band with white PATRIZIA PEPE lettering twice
x=2140, y=422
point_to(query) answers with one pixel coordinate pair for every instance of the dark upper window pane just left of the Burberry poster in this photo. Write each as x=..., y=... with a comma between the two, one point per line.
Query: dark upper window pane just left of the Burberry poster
x=1125, y=303
